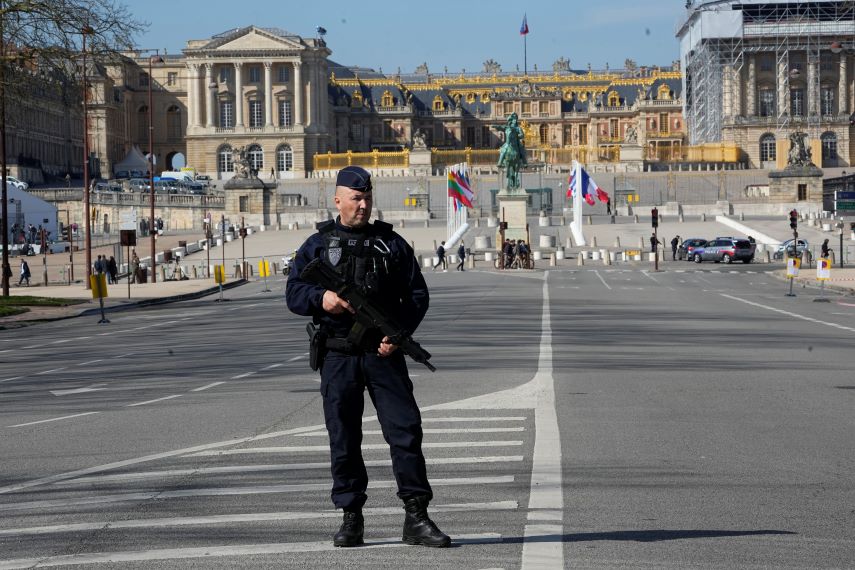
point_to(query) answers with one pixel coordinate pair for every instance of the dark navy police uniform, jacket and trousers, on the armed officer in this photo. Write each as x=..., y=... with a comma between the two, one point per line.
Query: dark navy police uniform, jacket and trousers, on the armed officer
x=380, y=261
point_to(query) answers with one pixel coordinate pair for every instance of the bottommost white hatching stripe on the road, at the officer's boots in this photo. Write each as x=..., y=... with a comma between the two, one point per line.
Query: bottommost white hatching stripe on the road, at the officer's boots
x=219, y=551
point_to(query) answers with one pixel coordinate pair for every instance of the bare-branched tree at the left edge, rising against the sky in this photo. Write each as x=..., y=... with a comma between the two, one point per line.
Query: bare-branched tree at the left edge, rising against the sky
x=42, y=45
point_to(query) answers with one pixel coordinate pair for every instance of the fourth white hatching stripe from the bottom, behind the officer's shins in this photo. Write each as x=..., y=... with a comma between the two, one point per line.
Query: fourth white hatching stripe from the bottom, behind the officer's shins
x=266, y=468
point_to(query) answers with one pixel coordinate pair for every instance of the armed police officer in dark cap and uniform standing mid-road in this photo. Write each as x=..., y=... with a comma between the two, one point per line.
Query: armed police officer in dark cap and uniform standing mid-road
x=379, y=261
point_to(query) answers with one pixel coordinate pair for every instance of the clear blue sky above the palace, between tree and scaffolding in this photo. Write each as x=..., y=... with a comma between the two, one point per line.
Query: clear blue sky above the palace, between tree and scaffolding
x=402, y=34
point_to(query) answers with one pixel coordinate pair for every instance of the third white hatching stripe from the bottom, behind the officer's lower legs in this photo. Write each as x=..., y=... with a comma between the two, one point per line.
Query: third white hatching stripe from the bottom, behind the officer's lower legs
x=234, y=491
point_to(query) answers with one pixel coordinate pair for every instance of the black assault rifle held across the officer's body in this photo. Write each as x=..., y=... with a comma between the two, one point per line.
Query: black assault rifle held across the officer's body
x=368, y=314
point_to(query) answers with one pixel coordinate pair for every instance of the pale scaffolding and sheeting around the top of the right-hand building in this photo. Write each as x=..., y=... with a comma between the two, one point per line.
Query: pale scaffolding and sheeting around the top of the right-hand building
x=726, y=46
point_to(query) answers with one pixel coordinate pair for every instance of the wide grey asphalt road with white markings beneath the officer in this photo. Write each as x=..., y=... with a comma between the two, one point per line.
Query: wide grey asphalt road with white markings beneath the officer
x=585, y=418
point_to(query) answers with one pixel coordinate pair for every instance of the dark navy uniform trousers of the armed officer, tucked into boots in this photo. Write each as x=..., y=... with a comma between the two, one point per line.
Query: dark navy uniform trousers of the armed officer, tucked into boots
x=344, y=379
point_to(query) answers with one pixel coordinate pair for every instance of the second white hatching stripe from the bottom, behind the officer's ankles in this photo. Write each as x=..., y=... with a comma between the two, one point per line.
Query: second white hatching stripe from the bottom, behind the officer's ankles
x=246, y=518
